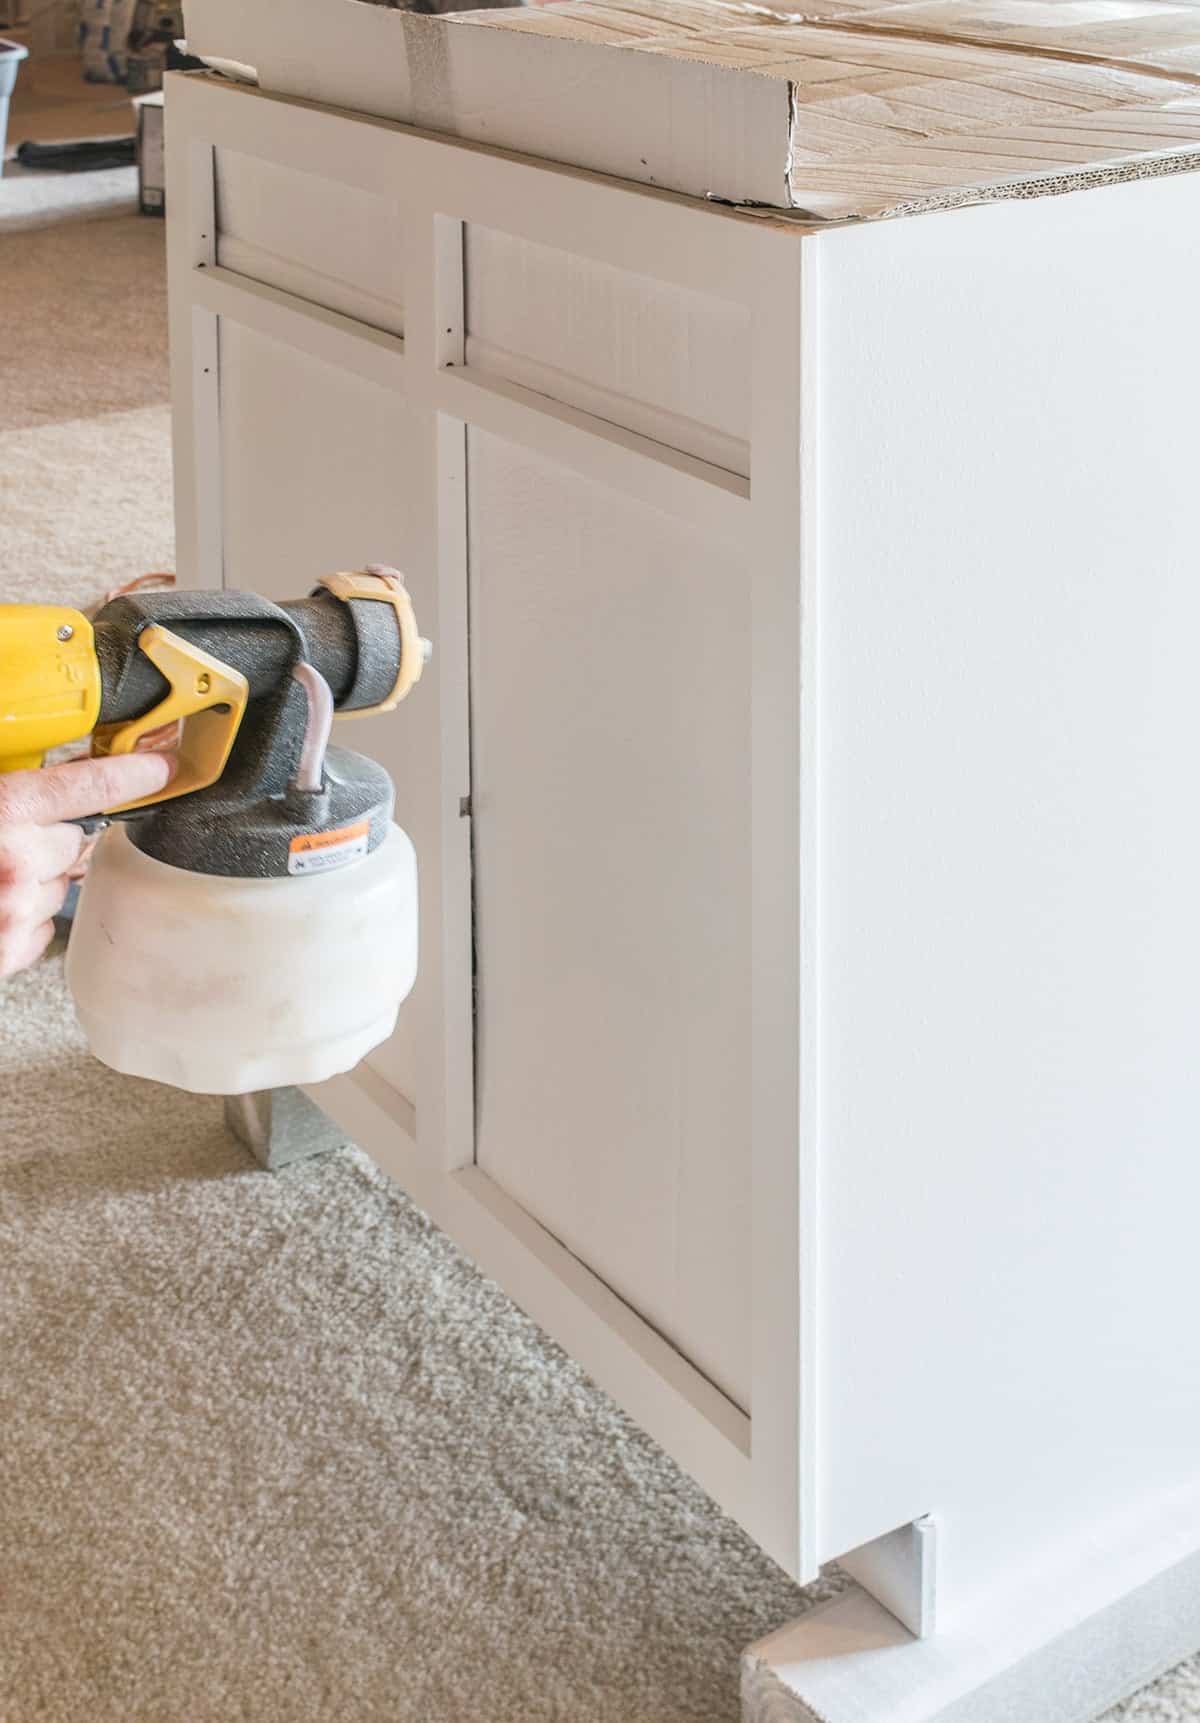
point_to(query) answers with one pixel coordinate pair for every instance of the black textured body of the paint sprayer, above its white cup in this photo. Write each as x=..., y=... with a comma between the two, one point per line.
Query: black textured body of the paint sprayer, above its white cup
x=282, y=799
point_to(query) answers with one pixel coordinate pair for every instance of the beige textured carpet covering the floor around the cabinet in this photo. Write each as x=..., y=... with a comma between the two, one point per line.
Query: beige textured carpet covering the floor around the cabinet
x=270, y=1448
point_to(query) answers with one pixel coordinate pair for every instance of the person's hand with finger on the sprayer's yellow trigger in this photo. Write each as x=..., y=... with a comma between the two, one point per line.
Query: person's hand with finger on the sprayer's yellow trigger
x=41, y=855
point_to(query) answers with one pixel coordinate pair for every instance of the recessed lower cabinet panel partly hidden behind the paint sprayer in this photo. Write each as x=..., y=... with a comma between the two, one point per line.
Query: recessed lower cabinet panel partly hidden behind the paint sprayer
x=315, y=482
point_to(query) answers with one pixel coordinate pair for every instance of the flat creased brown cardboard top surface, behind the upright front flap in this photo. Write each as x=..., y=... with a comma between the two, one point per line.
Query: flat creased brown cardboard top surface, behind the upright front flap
x=896, y=109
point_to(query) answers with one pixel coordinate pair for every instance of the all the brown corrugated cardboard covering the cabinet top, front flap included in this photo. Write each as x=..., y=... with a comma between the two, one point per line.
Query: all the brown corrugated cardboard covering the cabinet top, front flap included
x=846, y=111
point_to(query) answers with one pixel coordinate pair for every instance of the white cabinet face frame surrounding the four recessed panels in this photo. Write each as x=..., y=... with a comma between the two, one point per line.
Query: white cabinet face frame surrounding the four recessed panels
x=759, y=1467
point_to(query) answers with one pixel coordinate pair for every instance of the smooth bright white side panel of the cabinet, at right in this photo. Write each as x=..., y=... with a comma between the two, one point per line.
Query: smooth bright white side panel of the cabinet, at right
x=1011, y=849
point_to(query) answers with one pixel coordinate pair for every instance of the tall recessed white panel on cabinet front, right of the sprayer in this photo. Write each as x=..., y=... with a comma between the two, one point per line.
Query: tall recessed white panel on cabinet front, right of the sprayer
x=611, y=721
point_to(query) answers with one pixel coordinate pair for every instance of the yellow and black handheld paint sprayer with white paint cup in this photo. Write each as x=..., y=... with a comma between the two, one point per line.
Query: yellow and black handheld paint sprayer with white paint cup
x=256, y=923
